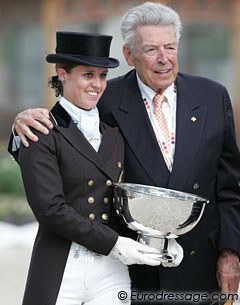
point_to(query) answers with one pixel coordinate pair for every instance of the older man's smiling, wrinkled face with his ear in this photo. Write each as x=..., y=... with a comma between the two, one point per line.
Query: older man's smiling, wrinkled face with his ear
x=155, y=57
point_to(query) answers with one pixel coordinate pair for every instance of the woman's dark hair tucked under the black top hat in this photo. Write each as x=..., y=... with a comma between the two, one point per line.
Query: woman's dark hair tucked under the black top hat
x=55, y=83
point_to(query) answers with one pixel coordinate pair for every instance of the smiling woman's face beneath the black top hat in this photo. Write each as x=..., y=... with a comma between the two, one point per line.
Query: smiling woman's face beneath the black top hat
x=84, y=85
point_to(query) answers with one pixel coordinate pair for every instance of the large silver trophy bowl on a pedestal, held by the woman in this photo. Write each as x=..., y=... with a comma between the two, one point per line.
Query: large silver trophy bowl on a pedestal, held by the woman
x=160, y=214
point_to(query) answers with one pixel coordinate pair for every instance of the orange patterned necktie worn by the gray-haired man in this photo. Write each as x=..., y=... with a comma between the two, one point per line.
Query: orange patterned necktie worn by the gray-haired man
x=160, y=117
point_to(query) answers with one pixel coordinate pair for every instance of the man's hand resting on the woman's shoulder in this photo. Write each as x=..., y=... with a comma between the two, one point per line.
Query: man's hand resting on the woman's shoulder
x=30, y=118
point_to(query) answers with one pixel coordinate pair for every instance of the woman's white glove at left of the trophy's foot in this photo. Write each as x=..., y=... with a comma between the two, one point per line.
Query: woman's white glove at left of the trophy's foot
x=129, y=252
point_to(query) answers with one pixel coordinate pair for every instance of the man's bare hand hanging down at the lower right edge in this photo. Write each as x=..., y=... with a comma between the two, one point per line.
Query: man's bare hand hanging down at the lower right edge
x=228, y=271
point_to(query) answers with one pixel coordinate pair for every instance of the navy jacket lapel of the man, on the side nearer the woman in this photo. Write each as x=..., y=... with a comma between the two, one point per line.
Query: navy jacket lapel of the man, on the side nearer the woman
x=134, y=123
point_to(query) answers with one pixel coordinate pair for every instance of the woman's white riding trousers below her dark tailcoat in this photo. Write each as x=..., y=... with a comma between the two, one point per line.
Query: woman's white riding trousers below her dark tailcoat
x=93, y=279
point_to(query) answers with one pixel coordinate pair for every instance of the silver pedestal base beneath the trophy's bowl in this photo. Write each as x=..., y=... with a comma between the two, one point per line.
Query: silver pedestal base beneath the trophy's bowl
x=160, y=243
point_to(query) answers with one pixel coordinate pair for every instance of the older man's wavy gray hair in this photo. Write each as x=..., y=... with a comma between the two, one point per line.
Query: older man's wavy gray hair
x=148, y=13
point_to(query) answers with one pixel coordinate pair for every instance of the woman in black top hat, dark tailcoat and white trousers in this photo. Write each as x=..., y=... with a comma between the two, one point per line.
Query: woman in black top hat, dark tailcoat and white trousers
x=78, y=255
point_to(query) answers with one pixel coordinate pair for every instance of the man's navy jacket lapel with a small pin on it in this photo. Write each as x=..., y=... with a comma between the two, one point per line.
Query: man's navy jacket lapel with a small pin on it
x=189, y=126
